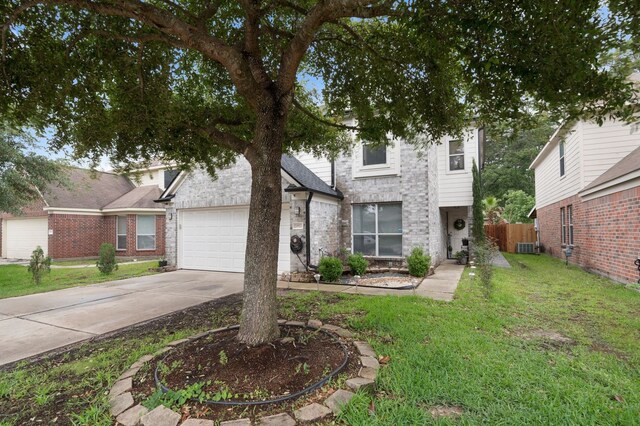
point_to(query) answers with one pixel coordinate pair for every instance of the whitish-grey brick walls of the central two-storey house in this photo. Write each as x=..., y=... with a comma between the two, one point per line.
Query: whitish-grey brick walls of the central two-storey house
x=416, y=188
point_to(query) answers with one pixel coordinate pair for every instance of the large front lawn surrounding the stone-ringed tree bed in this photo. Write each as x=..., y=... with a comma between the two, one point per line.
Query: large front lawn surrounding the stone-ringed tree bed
x=502, y=361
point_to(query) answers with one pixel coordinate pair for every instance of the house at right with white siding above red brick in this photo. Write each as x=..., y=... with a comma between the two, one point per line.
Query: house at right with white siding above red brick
x=588, y=197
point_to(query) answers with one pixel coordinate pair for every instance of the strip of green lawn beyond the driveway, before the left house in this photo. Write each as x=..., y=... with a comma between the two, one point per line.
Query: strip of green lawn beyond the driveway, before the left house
x=15, y=280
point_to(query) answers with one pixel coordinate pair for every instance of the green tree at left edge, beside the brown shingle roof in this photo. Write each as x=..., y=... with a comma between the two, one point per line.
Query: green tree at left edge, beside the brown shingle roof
x=23, y=173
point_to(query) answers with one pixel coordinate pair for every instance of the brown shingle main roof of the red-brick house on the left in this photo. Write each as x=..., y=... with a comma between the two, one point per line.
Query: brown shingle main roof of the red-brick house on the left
x=87, y=190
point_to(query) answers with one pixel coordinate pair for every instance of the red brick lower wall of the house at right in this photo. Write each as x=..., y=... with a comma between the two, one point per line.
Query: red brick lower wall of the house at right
x=606, y=233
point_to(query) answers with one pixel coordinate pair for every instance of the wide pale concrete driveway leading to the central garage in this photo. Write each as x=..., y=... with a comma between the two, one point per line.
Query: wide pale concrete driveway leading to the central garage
x=34, y=324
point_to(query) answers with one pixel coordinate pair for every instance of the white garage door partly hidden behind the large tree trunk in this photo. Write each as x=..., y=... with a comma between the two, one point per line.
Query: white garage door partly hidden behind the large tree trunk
x=215, y=239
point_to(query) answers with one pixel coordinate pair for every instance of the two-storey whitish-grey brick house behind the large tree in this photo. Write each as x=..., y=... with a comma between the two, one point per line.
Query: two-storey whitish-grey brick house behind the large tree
x=381, y=202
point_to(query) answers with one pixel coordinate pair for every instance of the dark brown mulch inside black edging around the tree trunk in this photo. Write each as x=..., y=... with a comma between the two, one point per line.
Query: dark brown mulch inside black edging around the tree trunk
x=300, y=358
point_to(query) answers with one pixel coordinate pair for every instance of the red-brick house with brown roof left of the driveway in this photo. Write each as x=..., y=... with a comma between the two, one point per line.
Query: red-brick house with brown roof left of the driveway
x=95, y=208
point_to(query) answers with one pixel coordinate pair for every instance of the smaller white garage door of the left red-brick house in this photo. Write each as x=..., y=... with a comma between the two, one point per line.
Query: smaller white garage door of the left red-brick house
x=24, y=235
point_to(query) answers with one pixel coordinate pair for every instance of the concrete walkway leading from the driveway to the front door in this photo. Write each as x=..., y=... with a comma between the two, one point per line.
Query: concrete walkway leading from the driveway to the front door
x=439, y=286
